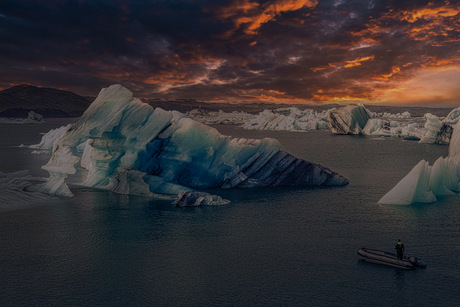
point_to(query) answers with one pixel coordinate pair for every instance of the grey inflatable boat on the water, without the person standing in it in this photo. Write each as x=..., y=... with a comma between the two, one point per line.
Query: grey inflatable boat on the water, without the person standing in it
x=386, y=258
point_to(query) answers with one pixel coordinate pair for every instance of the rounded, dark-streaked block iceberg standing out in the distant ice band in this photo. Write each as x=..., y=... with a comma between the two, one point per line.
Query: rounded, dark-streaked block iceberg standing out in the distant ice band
x=348, y=120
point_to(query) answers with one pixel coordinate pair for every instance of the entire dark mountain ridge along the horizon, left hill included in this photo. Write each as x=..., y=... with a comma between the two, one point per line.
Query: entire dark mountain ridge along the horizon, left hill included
x=19, y=100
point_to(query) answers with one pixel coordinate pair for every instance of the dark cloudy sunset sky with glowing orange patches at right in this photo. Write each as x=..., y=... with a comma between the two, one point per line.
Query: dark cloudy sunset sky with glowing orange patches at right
x=296, y=51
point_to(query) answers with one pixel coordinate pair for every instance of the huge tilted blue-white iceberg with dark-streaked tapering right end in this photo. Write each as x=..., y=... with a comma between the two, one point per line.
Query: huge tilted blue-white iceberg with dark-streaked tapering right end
x=126, y=146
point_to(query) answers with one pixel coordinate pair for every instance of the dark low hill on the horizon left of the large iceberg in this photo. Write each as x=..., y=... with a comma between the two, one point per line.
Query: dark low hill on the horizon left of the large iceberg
x=17, y=101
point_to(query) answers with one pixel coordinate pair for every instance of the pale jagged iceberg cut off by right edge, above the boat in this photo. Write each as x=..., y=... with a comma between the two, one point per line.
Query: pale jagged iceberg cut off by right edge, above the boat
x=425, y=183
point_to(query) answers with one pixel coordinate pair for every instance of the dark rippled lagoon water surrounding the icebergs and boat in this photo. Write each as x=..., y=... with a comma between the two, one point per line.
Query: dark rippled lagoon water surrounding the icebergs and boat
x=283, y=246
